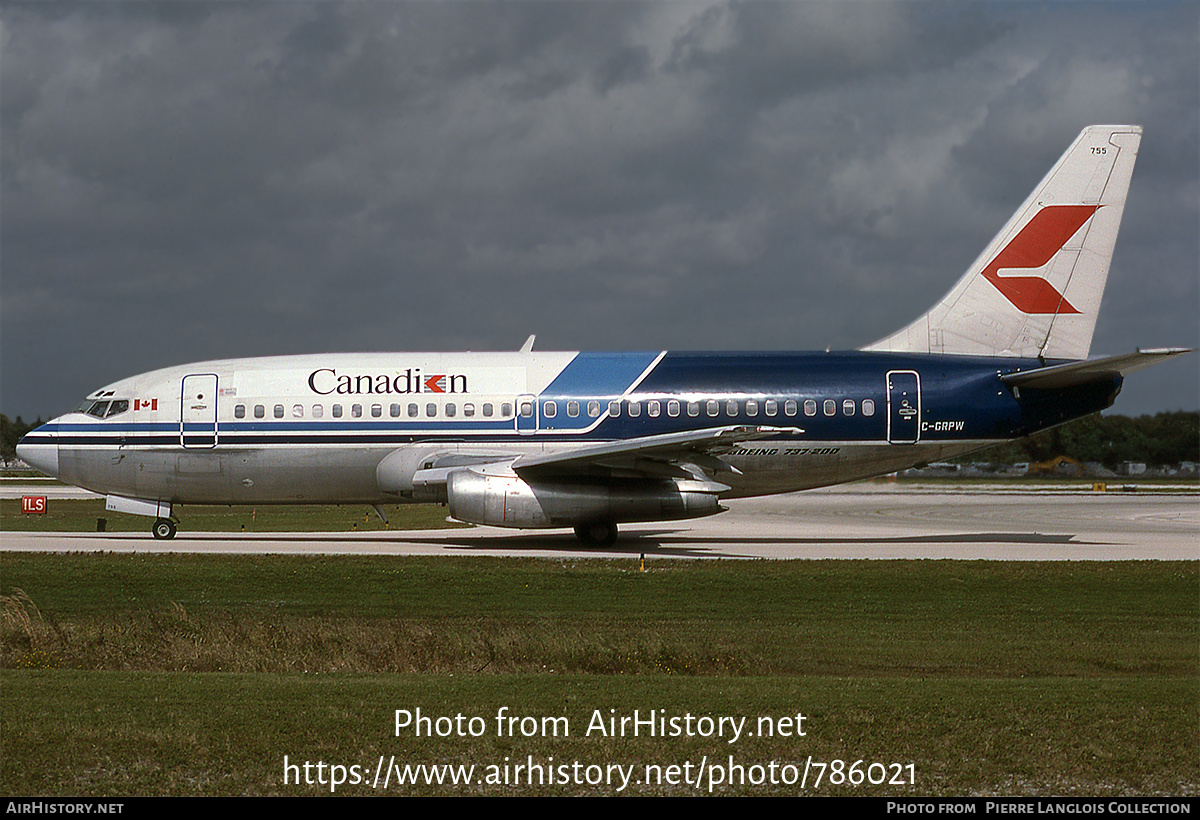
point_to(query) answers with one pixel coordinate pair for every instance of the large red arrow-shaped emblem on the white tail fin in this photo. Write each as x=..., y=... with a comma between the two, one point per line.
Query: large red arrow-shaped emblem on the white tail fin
x=1033, y=248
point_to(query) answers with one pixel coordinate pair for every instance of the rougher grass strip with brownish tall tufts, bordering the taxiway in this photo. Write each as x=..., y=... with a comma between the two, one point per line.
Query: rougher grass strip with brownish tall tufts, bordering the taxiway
x=196, y=613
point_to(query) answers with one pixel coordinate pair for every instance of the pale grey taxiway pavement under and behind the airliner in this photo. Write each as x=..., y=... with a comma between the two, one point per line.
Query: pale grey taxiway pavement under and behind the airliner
x=874, y=520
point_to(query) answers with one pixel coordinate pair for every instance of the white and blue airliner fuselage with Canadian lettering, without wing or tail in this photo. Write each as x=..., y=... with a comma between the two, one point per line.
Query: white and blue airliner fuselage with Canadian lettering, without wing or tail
x=316, y=428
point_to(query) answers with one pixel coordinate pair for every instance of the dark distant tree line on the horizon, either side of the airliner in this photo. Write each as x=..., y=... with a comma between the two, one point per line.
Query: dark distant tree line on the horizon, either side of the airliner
x=1160, y=440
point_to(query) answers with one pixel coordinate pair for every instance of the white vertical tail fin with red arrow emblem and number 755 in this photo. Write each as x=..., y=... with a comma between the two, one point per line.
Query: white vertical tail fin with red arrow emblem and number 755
x=1036, y=290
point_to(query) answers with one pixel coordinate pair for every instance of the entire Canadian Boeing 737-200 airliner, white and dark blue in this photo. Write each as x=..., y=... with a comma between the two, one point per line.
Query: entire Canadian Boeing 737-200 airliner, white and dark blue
x=595, y=440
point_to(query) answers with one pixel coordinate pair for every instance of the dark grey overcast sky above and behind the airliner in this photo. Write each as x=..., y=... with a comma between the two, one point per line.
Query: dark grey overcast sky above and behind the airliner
x=195, y=181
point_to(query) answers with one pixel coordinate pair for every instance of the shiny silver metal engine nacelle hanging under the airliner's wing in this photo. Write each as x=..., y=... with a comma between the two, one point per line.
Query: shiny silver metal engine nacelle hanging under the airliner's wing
x=508, y=501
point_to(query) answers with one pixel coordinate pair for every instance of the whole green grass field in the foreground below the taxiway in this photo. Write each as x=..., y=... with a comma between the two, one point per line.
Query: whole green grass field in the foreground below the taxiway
x=185, y=674
